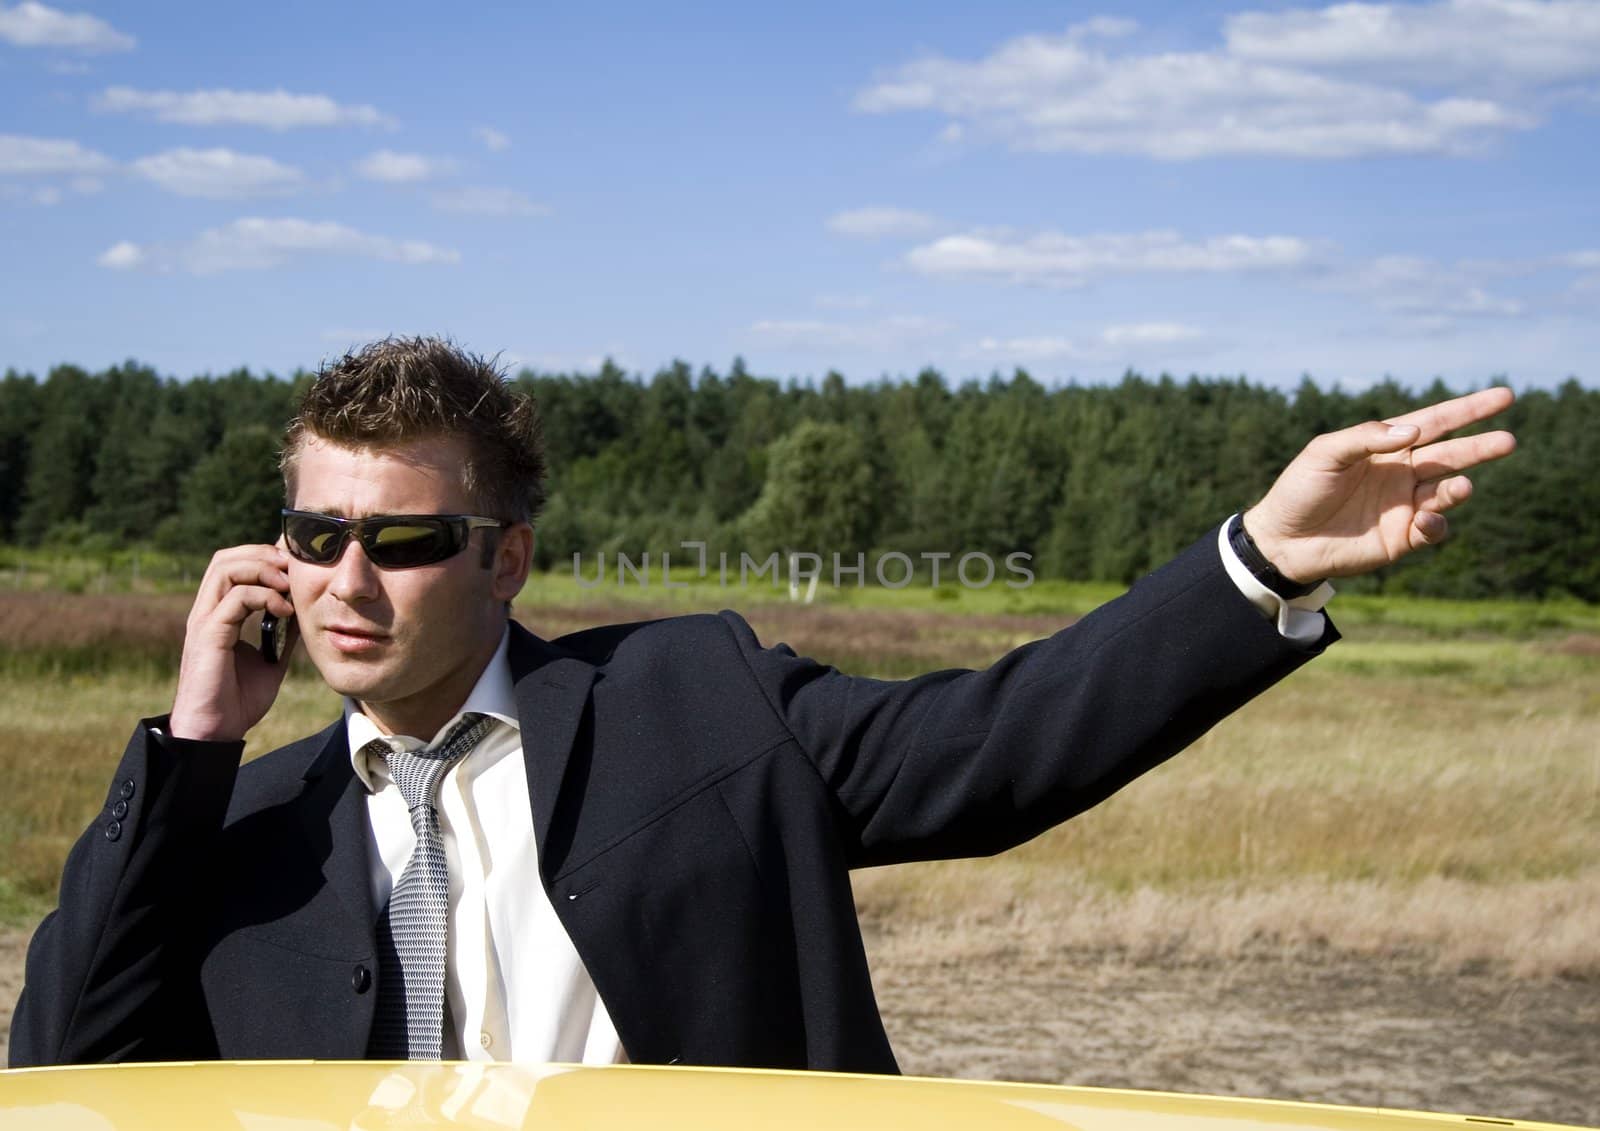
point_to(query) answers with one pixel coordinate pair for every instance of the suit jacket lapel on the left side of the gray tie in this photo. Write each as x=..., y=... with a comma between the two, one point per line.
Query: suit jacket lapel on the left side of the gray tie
x=335, y=821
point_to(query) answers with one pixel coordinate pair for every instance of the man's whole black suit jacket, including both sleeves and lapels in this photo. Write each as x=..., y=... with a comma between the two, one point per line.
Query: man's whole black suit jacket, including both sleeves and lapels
x=697, y=802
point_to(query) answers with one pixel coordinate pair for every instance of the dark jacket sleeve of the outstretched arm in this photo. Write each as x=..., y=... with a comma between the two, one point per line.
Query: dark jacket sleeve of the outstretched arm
x=969, y=764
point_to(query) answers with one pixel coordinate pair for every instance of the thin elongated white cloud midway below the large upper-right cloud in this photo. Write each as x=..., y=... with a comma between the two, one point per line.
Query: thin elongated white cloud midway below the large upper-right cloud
x=1060, y=260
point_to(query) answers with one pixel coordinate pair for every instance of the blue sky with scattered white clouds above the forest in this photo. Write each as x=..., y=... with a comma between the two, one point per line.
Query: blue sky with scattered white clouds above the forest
x=1263, y=190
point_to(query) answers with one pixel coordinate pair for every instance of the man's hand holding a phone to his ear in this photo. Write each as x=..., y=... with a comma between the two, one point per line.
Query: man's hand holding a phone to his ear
x=225, y=687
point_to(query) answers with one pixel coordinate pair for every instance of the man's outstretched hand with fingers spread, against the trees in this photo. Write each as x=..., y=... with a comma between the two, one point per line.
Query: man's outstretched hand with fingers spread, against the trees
x=1366, y=497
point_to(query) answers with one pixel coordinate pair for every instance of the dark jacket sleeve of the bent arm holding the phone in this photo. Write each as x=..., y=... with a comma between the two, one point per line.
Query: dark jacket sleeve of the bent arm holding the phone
x=111, y=973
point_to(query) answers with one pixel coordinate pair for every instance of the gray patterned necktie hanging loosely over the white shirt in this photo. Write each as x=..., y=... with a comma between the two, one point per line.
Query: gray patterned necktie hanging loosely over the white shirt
x=410, y=1013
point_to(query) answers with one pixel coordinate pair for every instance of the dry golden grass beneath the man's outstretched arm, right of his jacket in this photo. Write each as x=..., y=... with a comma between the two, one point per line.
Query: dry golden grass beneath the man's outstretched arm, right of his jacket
x=1425, y=799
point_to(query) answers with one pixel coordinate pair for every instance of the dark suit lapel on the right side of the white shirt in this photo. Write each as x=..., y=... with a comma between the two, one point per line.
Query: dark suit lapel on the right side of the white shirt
x=553, y=689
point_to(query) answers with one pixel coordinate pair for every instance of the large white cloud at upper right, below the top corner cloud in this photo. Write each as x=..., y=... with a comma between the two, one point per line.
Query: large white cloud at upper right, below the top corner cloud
x=1065, y=94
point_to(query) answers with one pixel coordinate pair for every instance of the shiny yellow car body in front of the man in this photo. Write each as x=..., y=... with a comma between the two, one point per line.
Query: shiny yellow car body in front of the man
x=353, y=1097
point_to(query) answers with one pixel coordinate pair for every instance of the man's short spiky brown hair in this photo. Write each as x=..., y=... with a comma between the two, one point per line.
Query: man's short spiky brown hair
x=402, y=390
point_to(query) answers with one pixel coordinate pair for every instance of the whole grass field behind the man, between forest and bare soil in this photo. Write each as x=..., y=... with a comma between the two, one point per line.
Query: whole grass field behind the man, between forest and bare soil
x=1433, y=785
